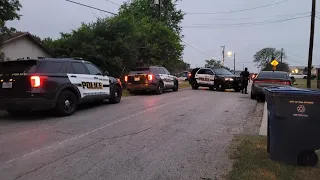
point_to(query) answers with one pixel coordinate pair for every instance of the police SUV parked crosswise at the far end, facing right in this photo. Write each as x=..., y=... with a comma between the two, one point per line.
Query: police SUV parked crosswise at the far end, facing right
x=216, y=78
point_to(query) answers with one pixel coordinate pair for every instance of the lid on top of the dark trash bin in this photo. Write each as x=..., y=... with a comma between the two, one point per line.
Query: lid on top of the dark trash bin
x=285, y=90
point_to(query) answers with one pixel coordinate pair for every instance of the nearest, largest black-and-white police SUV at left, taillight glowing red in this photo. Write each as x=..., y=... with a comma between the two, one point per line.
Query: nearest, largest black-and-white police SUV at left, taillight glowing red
x=54, y=83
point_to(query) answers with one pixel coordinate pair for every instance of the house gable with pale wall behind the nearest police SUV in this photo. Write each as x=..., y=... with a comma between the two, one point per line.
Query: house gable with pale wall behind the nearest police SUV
x=23, y=45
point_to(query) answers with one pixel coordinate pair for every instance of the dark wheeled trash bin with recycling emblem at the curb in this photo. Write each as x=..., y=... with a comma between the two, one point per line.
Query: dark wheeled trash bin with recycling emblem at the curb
x=293, y=125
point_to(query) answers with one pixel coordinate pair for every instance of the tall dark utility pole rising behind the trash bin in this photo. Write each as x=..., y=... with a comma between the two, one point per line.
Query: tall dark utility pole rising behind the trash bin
x=313, y=15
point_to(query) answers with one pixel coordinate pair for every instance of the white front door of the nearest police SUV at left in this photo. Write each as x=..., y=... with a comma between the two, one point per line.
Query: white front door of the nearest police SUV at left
x=102, y=86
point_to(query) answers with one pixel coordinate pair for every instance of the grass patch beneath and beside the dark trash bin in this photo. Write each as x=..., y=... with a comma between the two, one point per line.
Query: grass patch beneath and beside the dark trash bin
x=252, y=162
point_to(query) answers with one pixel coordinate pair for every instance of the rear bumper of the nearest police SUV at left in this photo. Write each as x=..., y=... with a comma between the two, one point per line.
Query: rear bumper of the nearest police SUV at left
x=30, y=104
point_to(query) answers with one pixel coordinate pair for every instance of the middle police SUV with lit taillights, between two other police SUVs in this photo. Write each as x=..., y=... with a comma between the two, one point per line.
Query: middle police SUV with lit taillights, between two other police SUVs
x=154, y=78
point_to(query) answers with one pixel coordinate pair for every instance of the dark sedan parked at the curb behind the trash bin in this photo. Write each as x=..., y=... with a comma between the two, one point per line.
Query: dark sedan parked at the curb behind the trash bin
x=268, y=79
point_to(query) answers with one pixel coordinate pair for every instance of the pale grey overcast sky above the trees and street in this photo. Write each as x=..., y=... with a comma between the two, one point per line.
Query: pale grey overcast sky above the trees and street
x=205, y=33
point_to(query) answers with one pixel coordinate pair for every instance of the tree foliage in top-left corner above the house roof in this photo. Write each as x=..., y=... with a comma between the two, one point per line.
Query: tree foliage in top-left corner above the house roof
x=9, y=9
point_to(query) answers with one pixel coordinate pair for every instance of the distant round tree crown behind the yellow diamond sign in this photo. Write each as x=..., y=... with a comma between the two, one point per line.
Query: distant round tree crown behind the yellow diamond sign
x=266, y=55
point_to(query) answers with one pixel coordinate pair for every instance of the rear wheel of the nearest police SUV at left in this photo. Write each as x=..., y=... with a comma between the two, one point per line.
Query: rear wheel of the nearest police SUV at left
x=67, y=103
